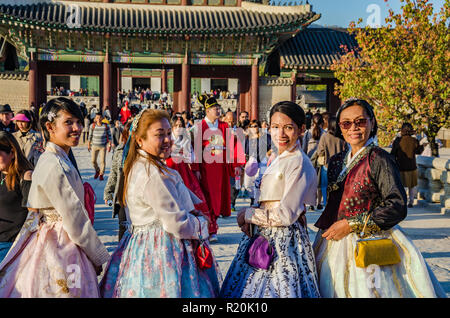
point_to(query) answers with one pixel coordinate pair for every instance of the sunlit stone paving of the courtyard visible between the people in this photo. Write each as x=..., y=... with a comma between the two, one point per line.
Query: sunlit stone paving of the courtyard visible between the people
x=429, y=230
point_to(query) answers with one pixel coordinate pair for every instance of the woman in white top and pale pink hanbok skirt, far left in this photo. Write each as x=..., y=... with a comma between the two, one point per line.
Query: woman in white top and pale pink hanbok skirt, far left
x=57, y=252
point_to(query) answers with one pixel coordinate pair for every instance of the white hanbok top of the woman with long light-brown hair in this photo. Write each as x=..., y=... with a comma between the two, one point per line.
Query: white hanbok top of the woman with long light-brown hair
x=153, y=196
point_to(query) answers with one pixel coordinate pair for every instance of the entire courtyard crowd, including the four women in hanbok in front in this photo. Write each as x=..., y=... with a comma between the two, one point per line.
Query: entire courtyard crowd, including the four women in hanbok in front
x=174, y=174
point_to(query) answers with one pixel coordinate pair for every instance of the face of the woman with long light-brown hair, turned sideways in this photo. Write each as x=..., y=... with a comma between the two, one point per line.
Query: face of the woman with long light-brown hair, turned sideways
x=158, y=140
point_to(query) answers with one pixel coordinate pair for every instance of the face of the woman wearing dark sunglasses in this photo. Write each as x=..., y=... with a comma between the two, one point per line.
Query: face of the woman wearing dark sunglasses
x=356, y=135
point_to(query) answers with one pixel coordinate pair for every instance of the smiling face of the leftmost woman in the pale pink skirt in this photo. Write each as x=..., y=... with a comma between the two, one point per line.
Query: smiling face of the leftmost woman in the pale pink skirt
x=65, y=131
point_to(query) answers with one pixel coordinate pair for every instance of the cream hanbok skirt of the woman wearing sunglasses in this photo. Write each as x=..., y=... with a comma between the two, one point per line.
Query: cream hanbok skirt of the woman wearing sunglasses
x=340, y=278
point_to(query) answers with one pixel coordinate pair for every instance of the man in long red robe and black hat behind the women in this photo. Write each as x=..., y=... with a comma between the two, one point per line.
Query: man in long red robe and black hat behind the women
x=218, y=157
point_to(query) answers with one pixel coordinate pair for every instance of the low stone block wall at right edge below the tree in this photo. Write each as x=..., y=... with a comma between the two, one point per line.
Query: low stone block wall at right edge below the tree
x=434, y=181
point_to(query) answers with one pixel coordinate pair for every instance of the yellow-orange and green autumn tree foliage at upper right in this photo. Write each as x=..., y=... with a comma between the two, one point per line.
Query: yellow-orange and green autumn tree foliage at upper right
x=402, y=69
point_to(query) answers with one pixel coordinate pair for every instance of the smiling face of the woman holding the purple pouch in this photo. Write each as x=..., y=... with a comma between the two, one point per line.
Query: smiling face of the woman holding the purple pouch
x=284, y=131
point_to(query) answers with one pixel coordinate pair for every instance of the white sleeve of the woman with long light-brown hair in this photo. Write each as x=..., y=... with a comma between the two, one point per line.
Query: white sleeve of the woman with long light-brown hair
x=162, y=195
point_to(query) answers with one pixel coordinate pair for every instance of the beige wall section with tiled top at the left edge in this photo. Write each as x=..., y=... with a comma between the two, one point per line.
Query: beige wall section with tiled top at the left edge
x=14, y=90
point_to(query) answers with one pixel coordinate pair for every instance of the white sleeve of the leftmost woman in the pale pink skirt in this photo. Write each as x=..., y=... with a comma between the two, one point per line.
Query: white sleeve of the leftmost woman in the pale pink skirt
x=74, y=216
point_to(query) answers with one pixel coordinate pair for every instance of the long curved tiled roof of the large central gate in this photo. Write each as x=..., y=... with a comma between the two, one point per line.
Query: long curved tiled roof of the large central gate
x=160, y=19
